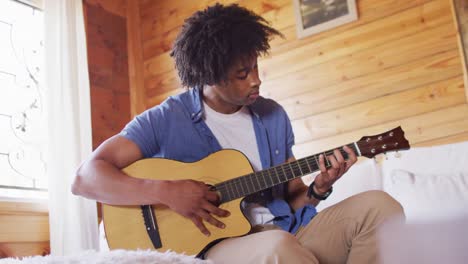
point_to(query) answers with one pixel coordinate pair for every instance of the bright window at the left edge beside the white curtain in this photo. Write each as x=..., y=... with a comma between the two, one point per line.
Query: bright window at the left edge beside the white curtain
x=22, y=111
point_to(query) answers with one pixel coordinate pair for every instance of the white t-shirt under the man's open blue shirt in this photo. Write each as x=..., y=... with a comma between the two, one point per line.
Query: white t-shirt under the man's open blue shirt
x=236, y=131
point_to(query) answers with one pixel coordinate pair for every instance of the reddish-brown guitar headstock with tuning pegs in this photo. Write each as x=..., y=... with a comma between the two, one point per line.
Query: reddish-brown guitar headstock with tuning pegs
x=392, y=140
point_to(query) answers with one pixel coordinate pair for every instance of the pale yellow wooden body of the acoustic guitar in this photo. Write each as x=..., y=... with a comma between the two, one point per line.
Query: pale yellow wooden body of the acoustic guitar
x=125, y=226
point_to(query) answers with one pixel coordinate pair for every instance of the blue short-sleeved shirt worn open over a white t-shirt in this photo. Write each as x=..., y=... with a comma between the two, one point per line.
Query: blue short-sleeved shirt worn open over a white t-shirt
x=175, y=130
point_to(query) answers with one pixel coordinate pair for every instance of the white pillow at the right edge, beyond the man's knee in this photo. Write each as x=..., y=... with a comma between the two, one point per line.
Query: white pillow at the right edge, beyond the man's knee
x=429, y=197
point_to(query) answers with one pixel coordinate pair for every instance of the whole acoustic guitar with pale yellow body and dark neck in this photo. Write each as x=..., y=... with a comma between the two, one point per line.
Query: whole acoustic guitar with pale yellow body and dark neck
x=232, y=177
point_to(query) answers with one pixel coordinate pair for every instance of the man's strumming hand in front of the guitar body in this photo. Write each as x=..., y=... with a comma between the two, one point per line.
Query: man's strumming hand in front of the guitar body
x=194, y=200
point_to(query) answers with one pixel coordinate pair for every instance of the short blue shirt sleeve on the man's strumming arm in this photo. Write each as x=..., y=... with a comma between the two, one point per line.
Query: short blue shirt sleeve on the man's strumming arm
x=142, y=131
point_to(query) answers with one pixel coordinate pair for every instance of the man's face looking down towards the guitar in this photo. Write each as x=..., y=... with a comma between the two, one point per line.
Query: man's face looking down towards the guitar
x=242, y=86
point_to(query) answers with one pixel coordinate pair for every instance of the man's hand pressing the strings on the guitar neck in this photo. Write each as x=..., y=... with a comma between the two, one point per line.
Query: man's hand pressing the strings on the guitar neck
x=339, y=166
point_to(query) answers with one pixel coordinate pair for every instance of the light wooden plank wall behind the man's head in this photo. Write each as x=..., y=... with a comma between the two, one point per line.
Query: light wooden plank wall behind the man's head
x=399, y=64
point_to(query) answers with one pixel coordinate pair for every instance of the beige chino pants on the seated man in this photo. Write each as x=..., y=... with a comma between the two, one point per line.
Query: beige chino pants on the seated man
x=343, y=233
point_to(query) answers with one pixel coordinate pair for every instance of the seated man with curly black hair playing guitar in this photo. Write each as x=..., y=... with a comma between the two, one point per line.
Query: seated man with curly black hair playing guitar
x=216, y=56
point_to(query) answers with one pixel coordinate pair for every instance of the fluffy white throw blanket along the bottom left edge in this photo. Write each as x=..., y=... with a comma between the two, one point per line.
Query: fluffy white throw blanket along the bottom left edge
x=112, y=257
